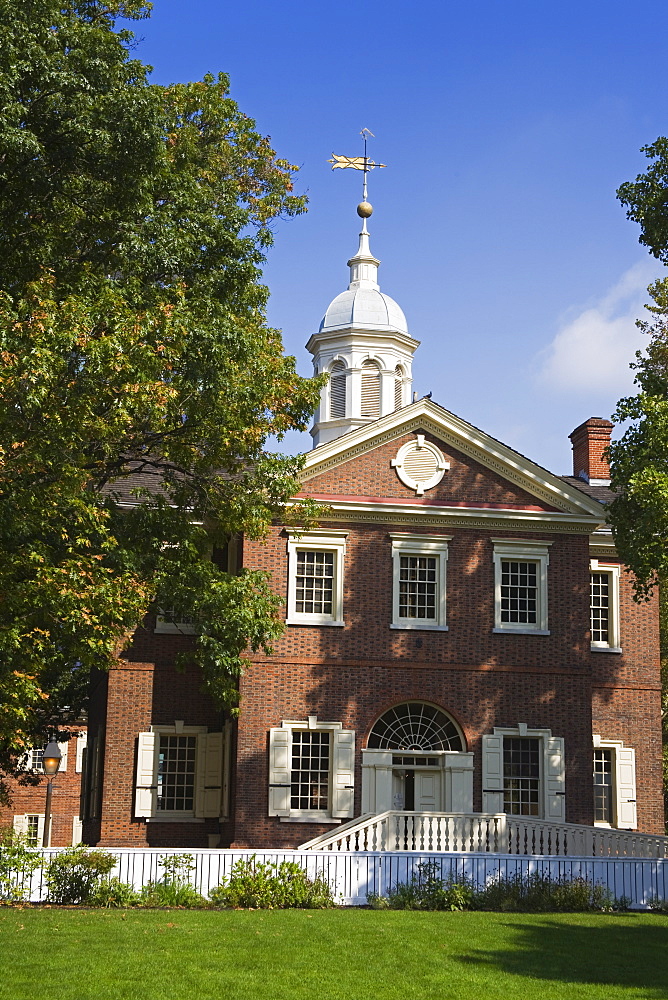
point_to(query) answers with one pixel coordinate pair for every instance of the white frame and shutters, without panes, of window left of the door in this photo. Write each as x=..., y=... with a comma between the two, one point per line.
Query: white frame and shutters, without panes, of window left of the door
x=341, y=779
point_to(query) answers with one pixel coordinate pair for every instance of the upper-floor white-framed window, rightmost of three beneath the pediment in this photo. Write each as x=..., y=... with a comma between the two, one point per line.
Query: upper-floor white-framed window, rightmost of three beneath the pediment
x=520, y=586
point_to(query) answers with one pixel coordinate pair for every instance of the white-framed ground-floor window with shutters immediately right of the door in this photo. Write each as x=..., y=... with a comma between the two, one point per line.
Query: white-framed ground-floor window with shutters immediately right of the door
x=523, y=773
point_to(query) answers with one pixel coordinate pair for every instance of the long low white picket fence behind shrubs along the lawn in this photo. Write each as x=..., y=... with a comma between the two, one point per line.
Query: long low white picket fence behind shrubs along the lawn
x=352, y=875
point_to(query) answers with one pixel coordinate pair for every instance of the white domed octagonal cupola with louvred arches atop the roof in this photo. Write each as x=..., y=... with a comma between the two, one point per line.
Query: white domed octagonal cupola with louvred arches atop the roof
x=364, y=345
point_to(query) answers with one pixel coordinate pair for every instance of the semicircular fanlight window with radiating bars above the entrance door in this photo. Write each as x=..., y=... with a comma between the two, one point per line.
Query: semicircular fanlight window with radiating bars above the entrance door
x=415, y=725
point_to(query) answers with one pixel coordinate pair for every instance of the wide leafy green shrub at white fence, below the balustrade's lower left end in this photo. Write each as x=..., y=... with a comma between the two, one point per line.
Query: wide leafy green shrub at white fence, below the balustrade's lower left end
x=255, y=885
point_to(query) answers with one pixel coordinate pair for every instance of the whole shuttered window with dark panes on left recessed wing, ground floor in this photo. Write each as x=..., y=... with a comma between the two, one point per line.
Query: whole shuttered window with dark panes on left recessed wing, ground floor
x=180, y=773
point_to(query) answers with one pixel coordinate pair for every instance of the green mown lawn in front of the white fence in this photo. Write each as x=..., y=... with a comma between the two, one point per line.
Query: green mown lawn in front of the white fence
x=58, y=954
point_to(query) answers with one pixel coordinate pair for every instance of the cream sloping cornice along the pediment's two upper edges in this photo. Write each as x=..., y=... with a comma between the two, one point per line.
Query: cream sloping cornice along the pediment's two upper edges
x=425, y=415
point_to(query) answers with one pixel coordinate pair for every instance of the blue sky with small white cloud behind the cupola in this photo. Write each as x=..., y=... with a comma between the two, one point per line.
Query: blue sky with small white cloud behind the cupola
x=506, y=127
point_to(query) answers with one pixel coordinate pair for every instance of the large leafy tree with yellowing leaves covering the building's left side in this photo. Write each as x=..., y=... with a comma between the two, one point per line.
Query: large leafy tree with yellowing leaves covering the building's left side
x=133, y=348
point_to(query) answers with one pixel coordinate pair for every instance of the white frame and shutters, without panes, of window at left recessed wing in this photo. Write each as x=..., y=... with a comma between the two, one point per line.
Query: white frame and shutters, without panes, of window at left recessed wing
x=211, y=764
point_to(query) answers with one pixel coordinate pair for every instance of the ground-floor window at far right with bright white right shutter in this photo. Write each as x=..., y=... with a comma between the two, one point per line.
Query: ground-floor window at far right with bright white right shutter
x=614, y=773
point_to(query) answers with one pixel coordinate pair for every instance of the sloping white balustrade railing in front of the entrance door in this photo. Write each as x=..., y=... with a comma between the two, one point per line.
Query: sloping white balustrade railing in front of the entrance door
x=486, y=833
